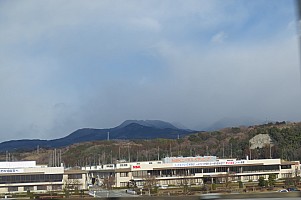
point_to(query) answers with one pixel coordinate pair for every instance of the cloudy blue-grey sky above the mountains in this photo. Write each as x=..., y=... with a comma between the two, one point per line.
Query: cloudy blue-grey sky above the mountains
x=71, y=64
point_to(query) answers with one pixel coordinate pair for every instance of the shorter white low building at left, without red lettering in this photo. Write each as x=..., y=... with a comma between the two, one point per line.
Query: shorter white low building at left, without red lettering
x=23, y=176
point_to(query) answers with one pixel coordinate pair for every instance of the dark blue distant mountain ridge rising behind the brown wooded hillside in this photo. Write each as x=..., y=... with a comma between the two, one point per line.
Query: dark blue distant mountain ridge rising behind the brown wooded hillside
x=128, y=130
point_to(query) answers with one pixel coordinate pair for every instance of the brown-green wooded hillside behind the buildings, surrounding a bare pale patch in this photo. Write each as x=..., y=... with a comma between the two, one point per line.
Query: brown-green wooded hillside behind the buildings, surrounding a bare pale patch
x=226, y=143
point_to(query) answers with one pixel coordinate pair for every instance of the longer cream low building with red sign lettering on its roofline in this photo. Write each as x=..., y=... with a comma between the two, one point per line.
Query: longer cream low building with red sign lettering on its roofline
x=190, y=170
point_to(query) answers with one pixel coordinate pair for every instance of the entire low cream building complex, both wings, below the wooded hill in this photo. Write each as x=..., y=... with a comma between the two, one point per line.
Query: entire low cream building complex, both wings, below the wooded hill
x=16, y=177
